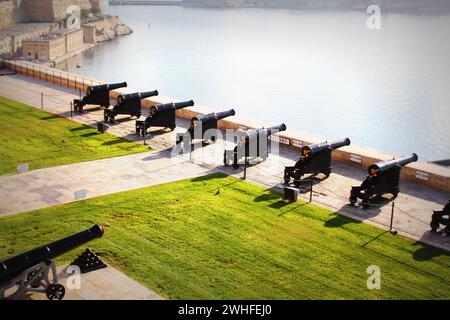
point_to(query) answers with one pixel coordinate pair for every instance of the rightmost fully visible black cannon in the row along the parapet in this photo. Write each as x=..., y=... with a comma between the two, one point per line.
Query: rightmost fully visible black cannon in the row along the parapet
x=384, y=177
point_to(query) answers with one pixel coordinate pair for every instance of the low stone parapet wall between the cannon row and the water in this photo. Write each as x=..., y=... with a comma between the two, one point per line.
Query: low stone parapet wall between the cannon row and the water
x=419, y=172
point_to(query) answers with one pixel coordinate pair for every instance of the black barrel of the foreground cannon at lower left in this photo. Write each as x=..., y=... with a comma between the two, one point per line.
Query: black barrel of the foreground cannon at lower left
x=19, y=263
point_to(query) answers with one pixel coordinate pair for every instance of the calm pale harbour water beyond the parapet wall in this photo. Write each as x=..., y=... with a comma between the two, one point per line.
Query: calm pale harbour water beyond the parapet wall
x=322, y=72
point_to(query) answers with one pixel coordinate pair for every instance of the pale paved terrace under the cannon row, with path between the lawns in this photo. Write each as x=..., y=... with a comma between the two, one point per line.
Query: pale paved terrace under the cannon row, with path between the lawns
x=47, y=187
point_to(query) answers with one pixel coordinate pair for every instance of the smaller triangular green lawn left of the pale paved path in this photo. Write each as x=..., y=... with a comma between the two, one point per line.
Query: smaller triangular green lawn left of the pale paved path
x=41, y=139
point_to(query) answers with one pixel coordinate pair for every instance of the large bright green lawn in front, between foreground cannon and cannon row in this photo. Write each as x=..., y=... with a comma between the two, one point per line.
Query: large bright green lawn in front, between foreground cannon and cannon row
x=186, y=242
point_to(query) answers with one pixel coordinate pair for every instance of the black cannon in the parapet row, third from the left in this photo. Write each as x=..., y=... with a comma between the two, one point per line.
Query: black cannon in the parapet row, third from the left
x=161, y=115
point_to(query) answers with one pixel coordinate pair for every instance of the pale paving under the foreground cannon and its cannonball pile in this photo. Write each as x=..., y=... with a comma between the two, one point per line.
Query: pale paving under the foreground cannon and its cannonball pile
x=102, y=284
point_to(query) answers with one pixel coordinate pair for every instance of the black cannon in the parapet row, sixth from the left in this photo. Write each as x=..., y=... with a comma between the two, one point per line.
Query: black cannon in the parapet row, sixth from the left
x=314, y=159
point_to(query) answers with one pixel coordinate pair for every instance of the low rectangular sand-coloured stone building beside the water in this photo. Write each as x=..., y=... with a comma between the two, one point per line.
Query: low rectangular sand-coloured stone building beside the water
x=54, y=45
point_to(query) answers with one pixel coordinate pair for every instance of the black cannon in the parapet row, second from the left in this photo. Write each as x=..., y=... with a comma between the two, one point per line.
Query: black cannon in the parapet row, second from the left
x=129, y=104
